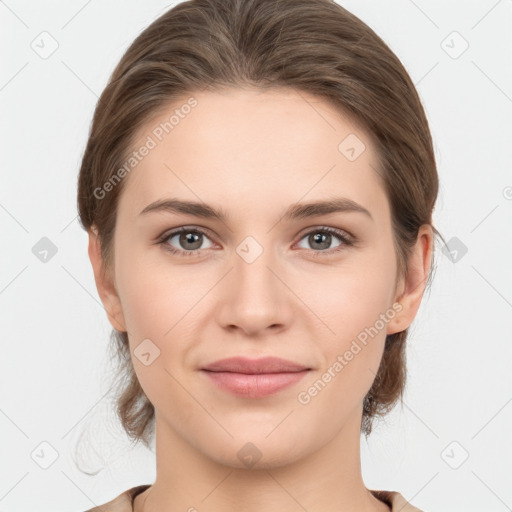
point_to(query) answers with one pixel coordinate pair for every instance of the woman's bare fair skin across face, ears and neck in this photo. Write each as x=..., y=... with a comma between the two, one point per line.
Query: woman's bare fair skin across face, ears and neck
x=254, y=153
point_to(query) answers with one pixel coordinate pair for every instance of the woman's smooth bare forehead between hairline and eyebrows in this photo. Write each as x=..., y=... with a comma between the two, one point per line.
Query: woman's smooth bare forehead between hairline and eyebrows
x=251, y=149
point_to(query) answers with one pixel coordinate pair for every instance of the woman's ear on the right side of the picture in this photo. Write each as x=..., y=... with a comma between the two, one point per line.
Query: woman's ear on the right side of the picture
x=412, y=286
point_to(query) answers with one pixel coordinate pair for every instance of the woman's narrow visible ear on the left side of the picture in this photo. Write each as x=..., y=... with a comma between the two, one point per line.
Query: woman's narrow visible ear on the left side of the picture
x=105, y=283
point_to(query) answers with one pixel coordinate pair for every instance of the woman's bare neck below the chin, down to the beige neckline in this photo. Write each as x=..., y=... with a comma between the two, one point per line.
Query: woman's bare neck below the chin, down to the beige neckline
x=327, y=480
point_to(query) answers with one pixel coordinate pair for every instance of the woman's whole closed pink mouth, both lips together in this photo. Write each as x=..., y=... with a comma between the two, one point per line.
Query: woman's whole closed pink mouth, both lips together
x=254, y=378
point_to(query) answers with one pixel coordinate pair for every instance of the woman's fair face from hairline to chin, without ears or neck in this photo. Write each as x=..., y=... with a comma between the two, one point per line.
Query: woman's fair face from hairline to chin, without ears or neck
x=310, y=285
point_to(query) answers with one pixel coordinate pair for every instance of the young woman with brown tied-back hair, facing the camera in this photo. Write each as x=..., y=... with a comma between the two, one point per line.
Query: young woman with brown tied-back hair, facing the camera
x=285, y=143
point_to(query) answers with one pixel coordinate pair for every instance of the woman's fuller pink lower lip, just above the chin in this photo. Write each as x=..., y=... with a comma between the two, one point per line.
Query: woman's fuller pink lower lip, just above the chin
x=254, y=385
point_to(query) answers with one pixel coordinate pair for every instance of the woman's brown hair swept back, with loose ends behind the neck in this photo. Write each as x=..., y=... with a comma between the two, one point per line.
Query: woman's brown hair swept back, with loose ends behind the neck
x=311, y=46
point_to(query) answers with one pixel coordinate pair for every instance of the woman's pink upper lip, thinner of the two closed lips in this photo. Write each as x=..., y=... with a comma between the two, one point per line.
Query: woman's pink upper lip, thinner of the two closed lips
x=254, y=366
